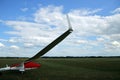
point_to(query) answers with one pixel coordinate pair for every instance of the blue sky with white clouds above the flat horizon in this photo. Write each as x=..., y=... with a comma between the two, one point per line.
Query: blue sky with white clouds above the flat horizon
x=27, y=26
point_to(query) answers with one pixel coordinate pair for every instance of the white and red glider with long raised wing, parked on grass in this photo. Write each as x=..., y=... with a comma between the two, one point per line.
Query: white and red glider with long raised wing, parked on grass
x=30, y=64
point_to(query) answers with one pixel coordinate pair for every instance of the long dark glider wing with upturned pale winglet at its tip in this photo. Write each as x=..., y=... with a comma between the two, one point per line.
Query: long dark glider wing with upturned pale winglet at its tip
x=54, y=43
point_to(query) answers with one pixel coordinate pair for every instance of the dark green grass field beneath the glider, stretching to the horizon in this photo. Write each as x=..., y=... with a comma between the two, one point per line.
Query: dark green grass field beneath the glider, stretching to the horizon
x=67, y=69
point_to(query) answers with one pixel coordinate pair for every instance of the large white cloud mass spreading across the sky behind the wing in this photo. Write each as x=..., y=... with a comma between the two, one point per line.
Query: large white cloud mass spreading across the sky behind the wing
x=95, y=31
